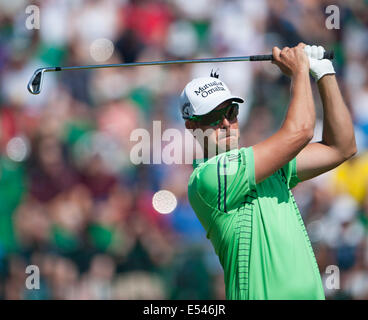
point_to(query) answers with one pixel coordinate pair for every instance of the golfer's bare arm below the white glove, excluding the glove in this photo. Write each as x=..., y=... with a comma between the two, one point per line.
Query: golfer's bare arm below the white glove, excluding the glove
x=338, y=140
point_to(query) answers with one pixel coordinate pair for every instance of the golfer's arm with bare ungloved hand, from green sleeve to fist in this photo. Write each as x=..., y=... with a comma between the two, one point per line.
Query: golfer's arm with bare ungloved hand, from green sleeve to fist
x=297, y=129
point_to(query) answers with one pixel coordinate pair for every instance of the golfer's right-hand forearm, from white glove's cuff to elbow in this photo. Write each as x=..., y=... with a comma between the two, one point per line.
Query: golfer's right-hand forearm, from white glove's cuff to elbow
x=338, y=129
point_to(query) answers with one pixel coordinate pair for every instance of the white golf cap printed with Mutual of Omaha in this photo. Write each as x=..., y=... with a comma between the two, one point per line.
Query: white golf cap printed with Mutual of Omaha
x=202, y=95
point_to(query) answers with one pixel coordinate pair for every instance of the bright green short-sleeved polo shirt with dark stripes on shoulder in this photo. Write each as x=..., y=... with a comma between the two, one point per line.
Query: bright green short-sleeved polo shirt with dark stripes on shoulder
x=256, y=229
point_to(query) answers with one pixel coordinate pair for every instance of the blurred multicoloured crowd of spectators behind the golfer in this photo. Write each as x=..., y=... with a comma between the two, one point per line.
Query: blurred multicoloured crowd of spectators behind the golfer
x=72, y=202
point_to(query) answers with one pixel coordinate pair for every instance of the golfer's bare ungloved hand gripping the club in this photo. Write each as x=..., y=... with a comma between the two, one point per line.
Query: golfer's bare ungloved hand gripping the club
x=291, y=61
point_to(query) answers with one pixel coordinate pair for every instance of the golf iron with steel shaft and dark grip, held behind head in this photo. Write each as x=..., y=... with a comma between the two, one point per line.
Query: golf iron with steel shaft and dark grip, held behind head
x=35, y=83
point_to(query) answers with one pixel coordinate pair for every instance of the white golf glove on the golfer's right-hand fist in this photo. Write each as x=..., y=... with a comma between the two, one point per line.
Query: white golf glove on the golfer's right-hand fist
x=318, y=67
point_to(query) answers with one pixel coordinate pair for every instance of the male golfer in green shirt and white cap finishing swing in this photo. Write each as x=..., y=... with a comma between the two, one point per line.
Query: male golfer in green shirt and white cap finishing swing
x=242, y=196
